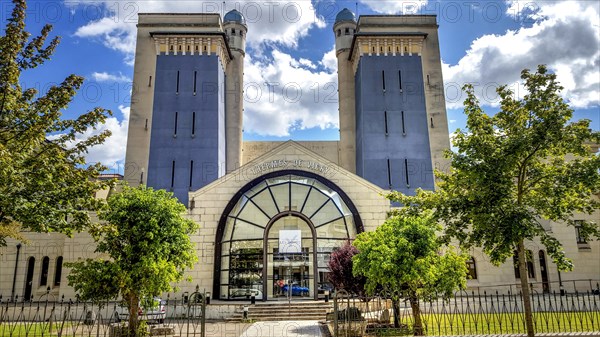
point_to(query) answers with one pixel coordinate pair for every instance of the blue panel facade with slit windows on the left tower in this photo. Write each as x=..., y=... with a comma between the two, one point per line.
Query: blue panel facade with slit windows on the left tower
x=187, y=144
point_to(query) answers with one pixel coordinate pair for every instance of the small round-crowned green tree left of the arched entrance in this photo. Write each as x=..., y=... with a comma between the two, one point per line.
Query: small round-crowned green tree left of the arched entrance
x=146, y=237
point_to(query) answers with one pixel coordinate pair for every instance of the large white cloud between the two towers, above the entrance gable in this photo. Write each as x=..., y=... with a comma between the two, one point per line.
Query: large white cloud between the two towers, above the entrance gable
x=284, y=94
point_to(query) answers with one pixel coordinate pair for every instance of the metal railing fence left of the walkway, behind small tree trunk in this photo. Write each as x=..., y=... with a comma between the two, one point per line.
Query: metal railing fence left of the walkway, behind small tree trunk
x=182, y=315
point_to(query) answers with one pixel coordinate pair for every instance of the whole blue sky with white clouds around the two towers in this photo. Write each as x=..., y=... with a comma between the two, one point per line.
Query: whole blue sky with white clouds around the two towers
x=290, y=74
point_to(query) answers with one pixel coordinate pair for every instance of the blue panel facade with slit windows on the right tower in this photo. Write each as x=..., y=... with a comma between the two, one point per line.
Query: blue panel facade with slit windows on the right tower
x=392, y=140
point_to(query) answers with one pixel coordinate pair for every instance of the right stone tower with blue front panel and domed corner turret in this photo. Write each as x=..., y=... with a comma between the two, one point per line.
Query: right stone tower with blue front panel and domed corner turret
x=393, y=124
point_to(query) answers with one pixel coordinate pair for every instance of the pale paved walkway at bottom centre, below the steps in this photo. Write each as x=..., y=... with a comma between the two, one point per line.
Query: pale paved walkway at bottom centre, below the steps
x=264, y=329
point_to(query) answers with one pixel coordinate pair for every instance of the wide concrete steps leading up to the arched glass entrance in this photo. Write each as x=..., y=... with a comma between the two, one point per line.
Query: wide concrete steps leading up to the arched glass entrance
x=284, y=311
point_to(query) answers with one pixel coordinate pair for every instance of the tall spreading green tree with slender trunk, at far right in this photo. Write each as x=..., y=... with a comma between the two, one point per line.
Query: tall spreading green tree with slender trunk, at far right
x=527, y=163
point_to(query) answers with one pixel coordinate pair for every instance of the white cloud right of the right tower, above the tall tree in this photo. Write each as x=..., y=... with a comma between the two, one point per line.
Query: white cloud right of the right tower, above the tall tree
x=564, y=36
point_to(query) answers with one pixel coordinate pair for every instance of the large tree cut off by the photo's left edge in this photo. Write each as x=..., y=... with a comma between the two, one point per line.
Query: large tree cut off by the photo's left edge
x=45, y=185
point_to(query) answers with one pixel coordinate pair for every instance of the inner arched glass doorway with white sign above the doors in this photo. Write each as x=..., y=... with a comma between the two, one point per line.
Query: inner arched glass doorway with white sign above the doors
x=290, y=258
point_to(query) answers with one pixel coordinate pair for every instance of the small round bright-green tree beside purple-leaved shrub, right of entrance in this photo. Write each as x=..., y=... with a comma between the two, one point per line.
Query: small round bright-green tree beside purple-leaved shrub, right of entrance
x=405, y=254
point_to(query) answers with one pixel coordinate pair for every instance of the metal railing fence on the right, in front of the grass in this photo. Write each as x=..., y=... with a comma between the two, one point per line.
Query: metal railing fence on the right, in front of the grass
x=476, y=312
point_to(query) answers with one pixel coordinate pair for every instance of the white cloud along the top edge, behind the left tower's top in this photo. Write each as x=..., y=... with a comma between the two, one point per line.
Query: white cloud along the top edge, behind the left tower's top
x=276, y=21
